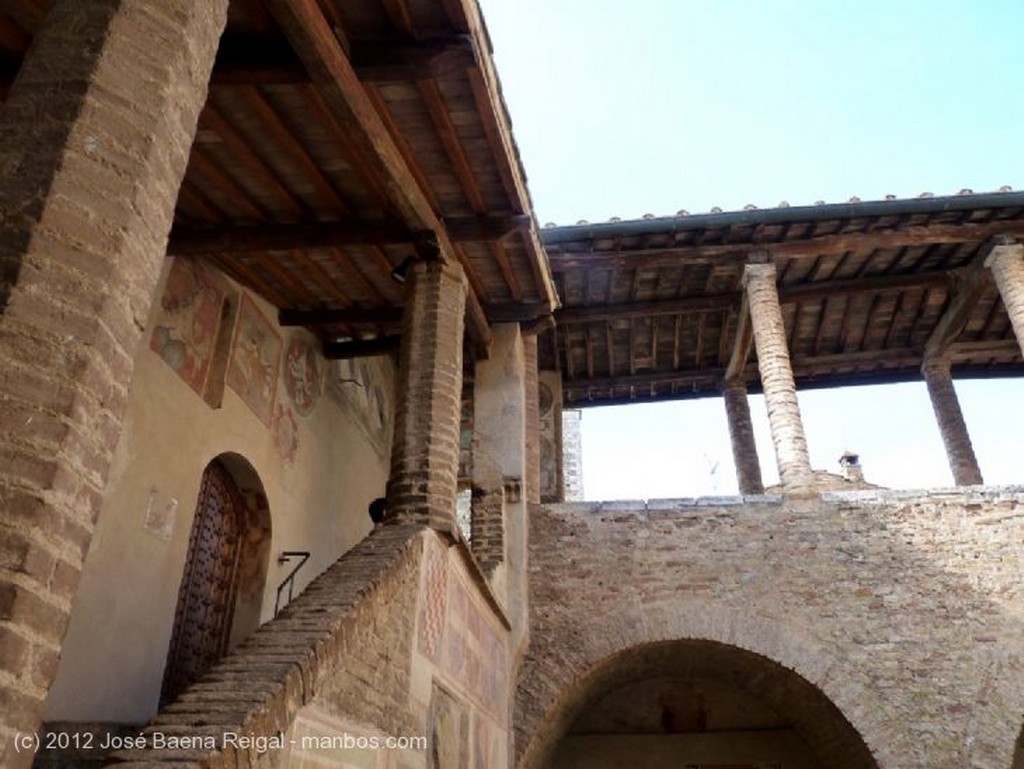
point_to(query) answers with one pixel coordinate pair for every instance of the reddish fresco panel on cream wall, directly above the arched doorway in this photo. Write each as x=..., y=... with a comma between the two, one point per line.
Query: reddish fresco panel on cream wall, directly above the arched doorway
x=255, y=361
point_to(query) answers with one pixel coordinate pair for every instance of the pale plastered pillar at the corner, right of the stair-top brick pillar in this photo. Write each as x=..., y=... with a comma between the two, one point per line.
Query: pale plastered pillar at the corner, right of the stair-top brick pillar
x=500, y=465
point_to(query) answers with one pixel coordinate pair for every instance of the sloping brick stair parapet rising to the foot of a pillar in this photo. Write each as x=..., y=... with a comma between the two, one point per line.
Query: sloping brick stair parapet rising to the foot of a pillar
x=345, y=644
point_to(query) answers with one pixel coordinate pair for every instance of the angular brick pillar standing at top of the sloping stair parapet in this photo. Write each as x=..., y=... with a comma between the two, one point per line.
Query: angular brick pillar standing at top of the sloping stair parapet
x=425, y=452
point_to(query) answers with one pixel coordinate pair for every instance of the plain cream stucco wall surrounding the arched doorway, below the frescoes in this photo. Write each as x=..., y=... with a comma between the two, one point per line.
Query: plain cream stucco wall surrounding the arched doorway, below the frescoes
x=120, y=628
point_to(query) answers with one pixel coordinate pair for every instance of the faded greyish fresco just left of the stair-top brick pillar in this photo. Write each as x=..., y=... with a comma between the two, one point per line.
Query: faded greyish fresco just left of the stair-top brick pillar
x=365, y=387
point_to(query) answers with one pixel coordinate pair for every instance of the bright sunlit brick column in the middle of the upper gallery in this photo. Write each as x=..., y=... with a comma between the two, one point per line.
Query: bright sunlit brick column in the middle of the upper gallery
x=777, y=379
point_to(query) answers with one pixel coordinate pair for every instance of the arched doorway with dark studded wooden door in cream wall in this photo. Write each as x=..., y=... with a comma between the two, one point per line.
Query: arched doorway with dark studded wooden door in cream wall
x=226, y=569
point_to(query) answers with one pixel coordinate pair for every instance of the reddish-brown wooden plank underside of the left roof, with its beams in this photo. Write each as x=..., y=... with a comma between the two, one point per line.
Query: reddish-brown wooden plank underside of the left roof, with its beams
x=366, y=111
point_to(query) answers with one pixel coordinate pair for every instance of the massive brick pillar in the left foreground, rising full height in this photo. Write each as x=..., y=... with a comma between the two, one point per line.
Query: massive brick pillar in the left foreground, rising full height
x=95, y=140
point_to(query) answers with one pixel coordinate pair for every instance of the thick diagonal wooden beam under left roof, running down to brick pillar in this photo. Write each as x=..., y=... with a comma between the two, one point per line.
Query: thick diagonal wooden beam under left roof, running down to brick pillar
x=312, y=37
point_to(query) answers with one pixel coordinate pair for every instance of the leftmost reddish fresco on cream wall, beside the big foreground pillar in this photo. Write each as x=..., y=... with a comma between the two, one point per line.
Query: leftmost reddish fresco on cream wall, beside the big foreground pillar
x=189, y=320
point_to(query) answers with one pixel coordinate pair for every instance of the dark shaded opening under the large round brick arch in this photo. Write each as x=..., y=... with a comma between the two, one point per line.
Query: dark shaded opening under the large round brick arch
x=679, y=705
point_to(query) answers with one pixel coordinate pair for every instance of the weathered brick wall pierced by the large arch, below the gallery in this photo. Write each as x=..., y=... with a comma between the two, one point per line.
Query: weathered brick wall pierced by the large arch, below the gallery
x=903, y=609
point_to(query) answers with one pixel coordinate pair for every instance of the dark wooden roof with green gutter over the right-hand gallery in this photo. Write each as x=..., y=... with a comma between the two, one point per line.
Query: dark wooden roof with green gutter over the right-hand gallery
x=862, y=292
